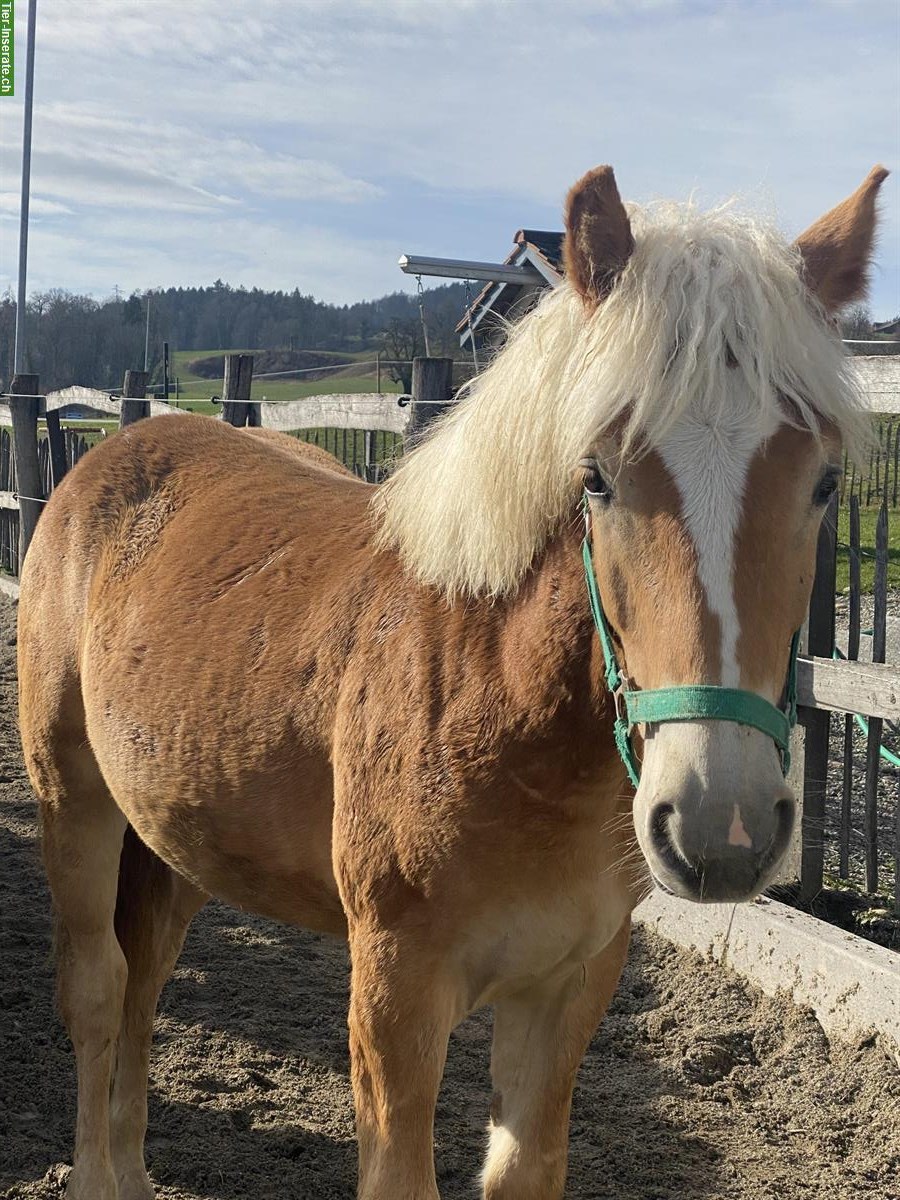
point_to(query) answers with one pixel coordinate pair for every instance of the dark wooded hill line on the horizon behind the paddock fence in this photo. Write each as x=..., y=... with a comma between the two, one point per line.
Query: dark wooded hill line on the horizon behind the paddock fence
x=77, y=339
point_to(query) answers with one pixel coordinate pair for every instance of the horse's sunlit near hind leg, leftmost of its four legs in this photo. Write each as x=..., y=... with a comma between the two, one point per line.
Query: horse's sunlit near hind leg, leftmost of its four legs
x=82, y=842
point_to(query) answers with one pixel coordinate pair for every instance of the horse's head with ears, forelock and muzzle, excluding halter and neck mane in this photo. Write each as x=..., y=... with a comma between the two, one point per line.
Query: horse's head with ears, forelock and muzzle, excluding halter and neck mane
x=706, y=489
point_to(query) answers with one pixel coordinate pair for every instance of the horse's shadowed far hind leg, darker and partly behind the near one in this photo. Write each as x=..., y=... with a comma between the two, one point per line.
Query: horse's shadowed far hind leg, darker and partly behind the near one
x=153, y=913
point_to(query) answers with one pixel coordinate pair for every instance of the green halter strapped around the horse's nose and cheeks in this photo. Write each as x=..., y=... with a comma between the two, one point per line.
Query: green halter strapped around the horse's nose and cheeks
x=692, y=703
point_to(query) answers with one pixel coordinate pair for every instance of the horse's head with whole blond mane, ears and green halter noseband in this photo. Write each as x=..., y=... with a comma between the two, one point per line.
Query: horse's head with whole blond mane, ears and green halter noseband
x=692, y=364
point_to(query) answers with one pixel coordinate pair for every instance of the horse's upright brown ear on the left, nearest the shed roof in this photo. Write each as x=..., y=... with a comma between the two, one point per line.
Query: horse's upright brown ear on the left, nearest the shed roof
x=598, y=235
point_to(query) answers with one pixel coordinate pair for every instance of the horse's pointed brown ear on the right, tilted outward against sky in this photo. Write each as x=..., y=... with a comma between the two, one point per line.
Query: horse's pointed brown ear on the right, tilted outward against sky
x=837, y=249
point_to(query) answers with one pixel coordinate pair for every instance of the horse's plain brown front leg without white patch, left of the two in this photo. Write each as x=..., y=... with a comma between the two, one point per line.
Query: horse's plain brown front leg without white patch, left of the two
x=403, y=1011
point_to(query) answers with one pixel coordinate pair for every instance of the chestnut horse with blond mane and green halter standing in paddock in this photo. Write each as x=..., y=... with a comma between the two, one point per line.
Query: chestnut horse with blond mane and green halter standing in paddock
x=385, y=713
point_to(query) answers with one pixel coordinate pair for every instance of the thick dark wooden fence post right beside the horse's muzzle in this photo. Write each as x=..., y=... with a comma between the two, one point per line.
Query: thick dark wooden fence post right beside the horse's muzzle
x=817, y=723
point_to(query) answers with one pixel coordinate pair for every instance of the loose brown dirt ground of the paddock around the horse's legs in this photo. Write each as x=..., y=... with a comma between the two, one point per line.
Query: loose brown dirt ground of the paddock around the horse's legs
x=695, y=1089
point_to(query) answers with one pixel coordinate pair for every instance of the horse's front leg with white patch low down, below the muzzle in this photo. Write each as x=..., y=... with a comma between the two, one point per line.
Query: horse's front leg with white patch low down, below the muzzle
x=539, y=1039
